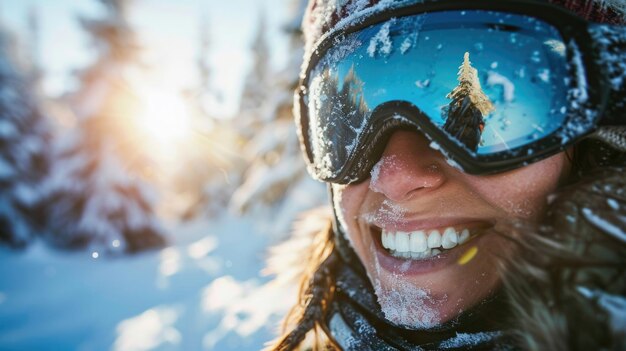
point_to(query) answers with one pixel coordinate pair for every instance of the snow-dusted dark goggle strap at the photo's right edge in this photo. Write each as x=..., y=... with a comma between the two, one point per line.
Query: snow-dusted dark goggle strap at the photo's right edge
x=610, y=45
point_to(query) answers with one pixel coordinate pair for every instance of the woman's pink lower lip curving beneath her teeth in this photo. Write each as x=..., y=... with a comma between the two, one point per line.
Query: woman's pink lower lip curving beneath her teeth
x=429, y=265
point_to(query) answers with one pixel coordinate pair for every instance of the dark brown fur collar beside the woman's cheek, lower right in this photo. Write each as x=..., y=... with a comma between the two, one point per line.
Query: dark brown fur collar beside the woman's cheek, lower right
x=567, y=286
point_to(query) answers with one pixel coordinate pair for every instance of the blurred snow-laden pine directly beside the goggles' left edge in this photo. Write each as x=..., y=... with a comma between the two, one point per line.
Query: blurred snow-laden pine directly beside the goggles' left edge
x=275, y=181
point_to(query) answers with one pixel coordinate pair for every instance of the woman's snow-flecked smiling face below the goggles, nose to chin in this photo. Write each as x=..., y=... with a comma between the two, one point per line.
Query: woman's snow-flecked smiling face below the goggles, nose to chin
x=441, y=257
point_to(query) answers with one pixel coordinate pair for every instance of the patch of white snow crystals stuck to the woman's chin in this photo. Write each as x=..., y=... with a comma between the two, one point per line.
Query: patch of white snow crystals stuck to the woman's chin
x=408, y=305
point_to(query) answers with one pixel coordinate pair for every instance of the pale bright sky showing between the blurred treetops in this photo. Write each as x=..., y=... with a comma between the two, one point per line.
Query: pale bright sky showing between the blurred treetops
x=169, y=28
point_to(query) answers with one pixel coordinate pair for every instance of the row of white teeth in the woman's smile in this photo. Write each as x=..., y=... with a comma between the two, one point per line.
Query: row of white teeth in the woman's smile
x=419, y=245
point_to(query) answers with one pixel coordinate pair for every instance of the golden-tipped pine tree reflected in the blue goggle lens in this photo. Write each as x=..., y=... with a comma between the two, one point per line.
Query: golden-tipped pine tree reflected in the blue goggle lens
x=465, y=113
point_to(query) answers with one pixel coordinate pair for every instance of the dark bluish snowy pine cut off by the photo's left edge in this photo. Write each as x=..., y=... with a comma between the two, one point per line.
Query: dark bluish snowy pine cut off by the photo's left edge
x=24, y=157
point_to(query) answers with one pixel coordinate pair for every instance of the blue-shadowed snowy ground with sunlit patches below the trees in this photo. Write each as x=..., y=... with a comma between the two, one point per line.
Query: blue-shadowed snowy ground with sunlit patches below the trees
x=203, y=292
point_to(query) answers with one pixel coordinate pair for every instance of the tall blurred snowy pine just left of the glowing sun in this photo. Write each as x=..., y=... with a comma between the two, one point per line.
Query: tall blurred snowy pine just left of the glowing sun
x=93, y=199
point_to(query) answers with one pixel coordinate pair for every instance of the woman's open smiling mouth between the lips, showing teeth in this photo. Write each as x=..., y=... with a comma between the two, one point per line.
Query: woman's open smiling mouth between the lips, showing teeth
x=423, y=244
